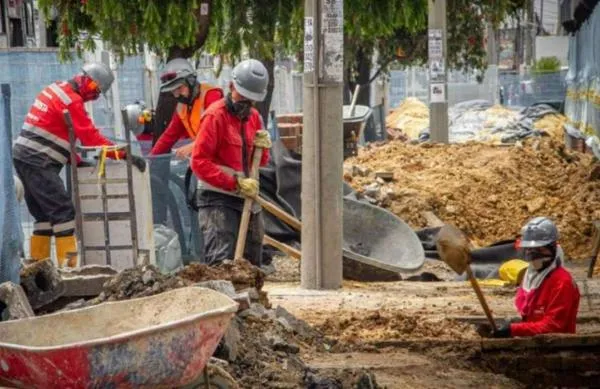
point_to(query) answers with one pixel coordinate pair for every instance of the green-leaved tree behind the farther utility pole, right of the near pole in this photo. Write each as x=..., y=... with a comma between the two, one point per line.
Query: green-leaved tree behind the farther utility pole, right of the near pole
x=401, y=38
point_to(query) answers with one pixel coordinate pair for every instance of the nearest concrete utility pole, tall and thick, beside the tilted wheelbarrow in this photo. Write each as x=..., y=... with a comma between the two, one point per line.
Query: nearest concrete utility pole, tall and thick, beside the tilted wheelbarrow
x=322, y=145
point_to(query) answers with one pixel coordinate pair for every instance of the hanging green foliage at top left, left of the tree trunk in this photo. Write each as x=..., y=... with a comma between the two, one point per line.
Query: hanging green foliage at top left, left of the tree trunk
x=124, y=25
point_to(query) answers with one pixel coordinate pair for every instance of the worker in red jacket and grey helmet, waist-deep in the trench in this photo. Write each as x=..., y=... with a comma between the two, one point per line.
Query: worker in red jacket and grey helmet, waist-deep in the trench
x=548, y=298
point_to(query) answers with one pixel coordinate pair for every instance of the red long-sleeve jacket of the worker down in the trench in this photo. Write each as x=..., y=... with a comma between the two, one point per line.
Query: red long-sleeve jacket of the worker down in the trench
x=553, y=308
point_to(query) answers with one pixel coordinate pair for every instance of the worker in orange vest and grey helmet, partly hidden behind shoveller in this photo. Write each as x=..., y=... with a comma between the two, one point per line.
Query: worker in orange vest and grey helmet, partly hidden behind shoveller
x=192, y=98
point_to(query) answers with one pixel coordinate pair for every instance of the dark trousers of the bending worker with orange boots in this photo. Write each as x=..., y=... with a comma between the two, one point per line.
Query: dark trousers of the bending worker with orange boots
x=47, y=199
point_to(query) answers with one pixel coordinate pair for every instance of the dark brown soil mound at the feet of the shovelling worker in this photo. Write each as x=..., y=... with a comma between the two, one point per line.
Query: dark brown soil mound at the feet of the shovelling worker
x=241, y=273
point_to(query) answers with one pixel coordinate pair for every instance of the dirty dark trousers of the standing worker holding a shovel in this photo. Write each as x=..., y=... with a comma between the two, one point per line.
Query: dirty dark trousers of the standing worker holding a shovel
x=220, y=225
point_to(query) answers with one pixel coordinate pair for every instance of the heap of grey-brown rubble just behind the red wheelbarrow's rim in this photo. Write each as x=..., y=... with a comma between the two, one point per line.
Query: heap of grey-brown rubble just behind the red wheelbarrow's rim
x=141, y=281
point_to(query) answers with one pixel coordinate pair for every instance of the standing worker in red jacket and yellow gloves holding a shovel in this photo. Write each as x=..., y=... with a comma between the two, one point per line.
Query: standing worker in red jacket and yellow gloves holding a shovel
x=229, y=132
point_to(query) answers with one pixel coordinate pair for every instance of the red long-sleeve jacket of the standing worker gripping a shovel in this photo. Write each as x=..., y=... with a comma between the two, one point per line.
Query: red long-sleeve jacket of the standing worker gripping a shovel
x=219, y=142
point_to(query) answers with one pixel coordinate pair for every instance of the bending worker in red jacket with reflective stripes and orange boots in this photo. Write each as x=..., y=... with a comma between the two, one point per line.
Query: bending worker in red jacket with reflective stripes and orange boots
x=42, y=149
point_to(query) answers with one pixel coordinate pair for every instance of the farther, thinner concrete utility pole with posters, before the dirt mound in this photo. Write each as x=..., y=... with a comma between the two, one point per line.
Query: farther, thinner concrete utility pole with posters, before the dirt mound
x=438, y=87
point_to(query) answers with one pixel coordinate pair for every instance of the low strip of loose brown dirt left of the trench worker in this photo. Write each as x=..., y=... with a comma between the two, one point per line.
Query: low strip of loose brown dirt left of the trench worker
x=377, y=326
